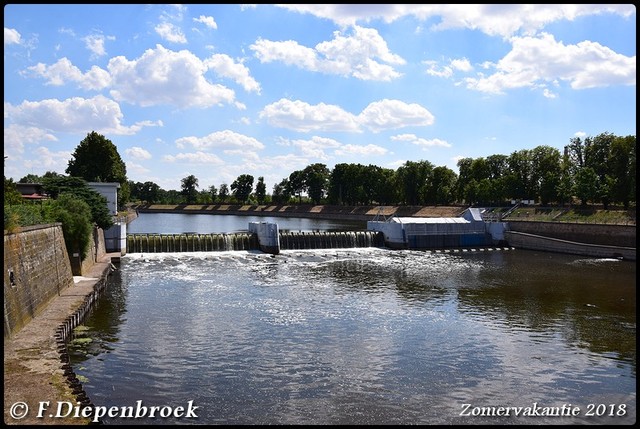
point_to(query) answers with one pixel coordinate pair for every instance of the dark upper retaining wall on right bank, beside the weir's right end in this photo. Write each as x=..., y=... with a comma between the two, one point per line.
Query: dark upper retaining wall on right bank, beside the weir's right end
x=608, y=235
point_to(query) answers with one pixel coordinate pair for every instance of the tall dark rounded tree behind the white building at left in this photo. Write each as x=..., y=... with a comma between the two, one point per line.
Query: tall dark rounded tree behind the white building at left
x=96, y=159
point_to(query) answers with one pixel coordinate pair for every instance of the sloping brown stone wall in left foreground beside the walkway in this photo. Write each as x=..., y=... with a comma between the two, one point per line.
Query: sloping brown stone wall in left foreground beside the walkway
x=36, y=268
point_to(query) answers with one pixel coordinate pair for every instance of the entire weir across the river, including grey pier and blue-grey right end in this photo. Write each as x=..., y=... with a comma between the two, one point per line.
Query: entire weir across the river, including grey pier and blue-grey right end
x=468, y=230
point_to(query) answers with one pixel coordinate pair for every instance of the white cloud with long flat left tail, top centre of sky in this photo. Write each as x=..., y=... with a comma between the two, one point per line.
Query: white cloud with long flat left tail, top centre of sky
x=363, y=55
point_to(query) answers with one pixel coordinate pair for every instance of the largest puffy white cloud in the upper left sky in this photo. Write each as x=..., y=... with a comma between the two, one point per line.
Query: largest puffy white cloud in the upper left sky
x=162, y=76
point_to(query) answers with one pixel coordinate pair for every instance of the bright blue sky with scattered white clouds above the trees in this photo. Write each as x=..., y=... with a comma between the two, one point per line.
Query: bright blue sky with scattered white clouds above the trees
x=226, y=89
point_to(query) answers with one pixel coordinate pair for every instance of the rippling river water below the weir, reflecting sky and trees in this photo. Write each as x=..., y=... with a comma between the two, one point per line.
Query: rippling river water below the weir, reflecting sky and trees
x=364, y=336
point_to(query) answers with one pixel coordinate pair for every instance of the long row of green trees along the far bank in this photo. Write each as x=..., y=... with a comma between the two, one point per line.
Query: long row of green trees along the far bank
x=599, y=170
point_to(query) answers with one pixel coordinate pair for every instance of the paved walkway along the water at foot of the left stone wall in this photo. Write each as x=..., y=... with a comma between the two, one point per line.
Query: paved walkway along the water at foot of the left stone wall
x=33, y=372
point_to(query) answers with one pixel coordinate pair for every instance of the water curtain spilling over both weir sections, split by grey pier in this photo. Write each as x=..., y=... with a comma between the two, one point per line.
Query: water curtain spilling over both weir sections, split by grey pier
x=163, y=243
